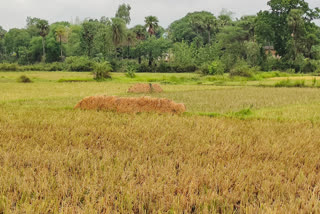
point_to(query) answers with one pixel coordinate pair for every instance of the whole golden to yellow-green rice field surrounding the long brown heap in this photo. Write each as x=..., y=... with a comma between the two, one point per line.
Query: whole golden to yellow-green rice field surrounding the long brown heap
x=54, y=159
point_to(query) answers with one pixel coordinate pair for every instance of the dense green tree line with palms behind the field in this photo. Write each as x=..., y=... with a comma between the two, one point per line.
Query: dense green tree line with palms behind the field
x=283, y=37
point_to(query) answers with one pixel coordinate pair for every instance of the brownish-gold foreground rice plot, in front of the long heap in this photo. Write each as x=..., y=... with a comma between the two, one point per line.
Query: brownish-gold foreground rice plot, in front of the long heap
x=96, y=161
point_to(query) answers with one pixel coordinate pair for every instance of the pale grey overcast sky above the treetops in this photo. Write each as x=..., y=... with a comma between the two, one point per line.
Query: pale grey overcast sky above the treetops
x=13, y=13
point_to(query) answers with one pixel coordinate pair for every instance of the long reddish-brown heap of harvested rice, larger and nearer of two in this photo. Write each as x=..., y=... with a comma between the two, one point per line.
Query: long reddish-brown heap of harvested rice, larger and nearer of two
x=131, y=105
